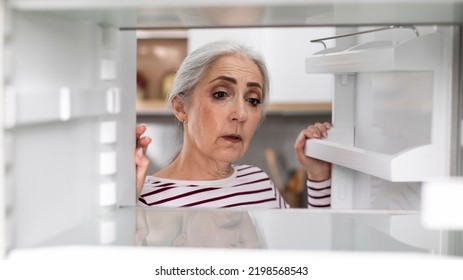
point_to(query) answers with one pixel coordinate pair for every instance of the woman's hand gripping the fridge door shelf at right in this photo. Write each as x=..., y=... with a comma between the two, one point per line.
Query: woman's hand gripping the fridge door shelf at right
x=317, y=170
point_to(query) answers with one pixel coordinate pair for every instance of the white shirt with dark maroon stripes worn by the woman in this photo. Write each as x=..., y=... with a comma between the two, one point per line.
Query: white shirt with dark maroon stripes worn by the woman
x=248, y=186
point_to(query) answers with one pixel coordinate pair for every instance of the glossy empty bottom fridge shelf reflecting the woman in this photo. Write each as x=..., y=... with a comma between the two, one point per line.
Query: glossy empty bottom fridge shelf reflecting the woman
x=336, y=230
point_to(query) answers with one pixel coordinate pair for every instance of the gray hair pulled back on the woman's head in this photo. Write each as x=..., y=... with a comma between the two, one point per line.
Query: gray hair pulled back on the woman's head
x=193, y=67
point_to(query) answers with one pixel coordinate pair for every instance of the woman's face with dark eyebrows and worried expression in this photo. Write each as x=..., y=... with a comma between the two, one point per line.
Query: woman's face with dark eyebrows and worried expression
x=225, y=109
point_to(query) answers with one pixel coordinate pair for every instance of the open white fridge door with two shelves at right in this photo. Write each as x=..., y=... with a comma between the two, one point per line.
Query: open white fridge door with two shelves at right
x=392, y=114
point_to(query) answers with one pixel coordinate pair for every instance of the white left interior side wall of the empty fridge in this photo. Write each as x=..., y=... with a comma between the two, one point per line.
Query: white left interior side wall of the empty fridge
x=68, y=107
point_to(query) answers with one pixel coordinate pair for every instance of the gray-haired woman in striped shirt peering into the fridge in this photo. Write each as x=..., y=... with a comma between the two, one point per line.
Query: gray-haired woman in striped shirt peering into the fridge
x=219, y=97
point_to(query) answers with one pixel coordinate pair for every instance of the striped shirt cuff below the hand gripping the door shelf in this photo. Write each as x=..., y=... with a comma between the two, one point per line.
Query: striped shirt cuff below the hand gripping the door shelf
x=319, y=194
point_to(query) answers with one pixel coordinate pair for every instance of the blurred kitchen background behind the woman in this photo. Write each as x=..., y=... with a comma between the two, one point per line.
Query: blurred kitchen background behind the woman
x=160, y=53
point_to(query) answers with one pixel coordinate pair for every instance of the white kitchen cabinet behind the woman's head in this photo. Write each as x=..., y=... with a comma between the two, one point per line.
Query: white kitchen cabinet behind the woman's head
x=284, y=50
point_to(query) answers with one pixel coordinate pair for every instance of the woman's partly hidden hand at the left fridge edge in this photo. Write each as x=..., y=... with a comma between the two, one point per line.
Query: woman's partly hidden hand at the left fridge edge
x=141, y=160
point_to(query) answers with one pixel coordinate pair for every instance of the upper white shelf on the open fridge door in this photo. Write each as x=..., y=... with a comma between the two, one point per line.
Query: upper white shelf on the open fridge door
x=376, y=56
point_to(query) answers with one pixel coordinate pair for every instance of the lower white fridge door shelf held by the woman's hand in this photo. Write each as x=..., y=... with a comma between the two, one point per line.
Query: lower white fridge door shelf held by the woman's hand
x=411, y=165
